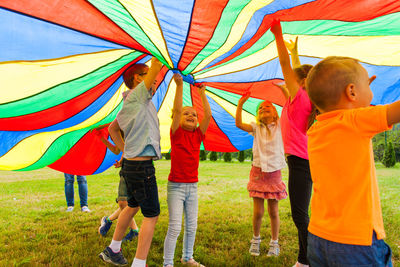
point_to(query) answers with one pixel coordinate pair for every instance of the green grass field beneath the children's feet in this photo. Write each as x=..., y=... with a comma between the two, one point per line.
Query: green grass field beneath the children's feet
x=35, y=230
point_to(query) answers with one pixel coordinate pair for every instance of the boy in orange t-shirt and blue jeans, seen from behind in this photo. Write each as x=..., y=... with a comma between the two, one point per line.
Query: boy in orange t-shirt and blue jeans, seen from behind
x=346, y=225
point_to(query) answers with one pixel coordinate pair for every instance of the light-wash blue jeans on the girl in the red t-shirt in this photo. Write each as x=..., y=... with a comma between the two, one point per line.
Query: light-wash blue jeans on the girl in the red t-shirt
x=182, y=198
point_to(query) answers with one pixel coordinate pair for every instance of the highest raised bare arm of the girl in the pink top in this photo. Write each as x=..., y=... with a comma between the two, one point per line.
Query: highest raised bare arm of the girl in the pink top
x=288, y=73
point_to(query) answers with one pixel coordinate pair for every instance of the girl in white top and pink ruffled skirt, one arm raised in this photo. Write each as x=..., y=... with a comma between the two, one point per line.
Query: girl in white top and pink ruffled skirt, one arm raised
x=265, y=175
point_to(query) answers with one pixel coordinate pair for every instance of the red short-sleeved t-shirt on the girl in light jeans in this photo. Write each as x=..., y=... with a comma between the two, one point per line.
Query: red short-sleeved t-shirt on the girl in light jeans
x=185, y=155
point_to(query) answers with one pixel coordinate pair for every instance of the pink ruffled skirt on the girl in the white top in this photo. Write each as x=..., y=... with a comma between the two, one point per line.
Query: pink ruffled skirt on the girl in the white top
x=266, y=185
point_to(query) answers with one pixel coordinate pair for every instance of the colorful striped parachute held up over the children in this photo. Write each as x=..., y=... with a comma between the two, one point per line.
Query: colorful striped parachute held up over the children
x=61, y=64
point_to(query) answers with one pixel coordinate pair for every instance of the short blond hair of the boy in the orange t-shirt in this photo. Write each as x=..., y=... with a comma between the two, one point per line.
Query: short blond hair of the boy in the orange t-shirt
x=328, y=79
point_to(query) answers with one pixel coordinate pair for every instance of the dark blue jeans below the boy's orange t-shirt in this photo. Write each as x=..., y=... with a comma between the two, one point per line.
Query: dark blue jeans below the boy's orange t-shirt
x=324, y=253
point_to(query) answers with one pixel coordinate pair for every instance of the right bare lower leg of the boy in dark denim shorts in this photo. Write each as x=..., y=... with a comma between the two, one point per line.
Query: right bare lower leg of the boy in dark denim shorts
x=145, y=237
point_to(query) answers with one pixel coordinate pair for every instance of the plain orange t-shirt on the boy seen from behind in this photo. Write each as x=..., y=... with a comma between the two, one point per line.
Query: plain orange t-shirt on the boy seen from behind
x=345, y=205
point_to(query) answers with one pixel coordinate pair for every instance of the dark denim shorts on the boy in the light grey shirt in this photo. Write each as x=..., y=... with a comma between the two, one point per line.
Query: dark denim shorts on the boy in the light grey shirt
x=141, y=186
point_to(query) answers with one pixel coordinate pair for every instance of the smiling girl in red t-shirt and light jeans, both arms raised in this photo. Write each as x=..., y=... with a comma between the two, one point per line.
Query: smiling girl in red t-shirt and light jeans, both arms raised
x=186, y=138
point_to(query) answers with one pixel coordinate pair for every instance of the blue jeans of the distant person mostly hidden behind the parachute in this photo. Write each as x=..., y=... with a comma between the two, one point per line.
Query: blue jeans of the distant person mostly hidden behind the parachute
x=69, y=189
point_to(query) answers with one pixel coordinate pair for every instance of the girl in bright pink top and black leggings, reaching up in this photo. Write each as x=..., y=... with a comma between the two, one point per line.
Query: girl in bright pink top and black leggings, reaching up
x=296, y=118
